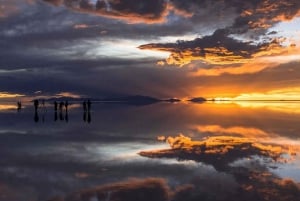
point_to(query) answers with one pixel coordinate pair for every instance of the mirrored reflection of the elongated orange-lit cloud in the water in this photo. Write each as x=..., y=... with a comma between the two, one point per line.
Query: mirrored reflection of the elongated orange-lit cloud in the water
x=217, y=151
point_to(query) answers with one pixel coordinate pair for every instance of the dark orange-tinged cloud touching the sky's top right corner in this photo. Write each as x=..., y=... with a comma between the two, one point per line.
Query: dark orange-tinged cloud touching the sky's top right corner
x=254, y=14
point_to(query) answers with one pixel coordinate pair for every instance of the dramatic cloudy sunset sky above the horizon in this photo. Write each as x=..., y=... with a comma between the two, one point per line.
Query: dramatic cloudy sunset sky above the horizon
x=163, y=48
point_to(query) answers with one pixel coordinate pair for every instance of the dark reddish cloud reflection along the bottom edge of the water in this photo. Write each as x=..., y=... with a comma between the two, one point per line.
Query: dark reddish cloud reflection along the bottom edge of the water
x=258, y=185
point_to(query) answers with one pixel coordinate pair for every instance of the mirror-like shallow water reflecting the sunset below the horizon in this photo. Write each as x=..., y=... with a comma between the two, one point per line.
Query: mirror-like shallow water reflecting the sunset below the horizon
x=44, y=155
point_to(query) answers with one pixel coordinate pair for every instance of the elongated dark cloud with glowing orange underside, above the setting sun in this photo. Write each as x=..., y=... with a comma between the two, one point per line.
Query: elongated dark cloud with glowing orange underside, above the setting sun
x=217, y=49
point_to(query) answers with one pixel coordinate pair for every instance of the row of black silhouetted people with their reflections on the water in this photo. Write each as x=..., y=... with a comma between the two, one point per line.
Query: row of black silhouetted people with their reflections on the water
x=60, y=110
